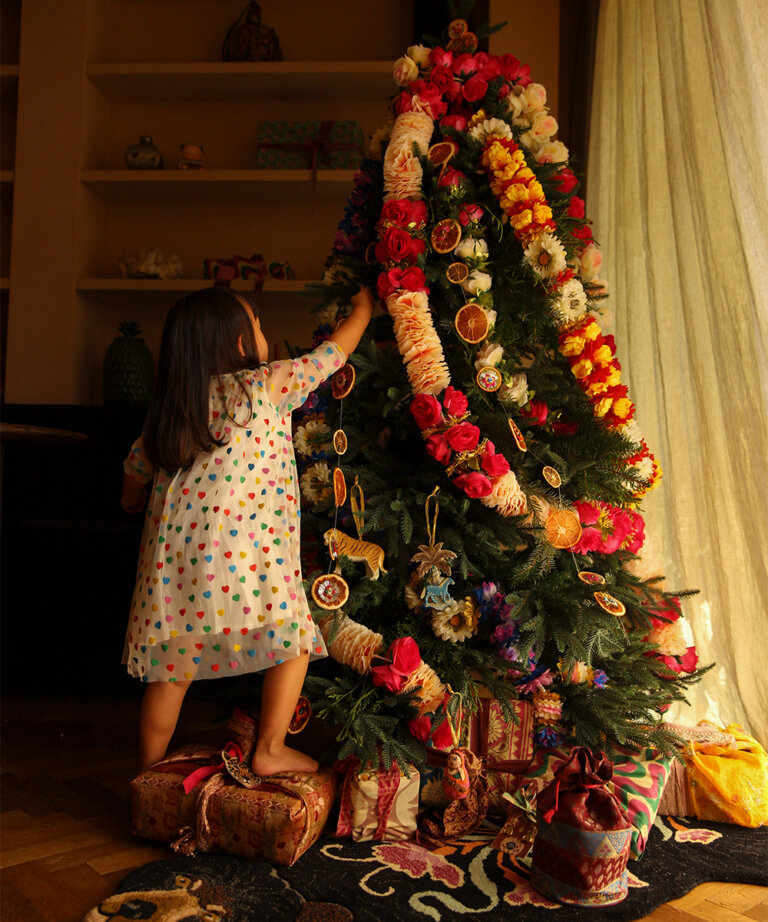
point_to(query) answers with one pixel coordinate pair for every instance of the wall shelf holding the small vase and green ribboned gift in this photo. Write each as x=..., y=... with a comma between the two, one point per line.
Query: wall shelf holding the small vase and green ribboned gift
x=216, y=185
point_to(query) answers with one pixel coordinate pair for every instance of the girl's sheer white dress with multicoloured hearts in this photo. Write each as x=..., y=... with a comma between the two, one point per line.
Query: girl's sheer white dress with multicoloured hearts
x=219, y=587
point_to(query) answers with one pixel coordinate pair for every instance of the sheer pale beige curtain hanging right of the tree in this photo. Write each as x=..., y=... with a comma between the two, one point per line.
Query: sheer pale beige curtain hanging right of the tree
x=678, y=191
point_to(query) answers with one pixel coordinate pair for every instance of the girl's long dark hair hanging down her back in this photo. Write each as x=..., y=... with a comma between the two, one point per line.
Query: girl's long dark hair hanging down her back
x=199, y=342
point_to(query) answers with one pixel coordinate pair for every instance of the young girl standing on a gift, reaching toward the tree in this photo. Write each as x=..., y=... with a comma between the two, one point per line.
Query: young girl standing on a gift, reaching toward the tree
x=219, y=587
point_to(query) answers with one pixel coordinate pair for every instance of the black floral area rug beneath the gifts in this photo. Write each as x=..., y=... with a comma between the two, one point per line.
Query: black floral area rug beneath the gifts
x=340, y=881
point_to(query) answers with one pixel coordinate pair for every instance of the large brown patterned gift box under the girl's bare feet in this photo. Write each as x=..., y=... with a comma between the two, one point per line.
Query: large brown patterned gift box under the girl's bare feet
x=275, y=822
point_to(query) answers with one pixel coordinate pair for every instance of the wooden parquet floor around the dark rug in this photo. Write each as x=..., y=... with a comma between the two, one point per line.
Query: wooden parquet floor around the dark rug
x=65, y=839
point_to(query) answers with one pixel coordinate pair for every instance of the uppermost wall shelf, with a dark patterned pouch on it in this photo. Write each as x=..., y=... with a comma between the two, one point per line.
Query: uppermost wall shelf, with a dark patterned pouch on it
x=204, y=82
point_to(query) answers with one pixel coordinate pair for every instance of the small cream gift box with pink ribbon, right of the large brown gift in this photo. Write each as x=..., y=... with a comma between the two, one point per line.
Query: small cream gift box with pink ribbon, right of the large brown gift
x=380, y=805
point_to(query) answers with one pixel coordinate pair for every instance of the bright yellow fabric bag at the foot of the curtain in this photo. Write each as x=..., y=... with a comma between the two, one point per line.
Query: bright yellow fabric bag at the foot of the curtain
x=729, y=784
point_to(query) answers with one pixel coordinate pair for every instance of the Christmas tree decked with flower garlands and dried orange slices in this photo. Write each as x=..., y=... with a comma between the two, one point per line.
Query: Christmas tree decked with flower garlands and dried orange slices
x=476, y=488
